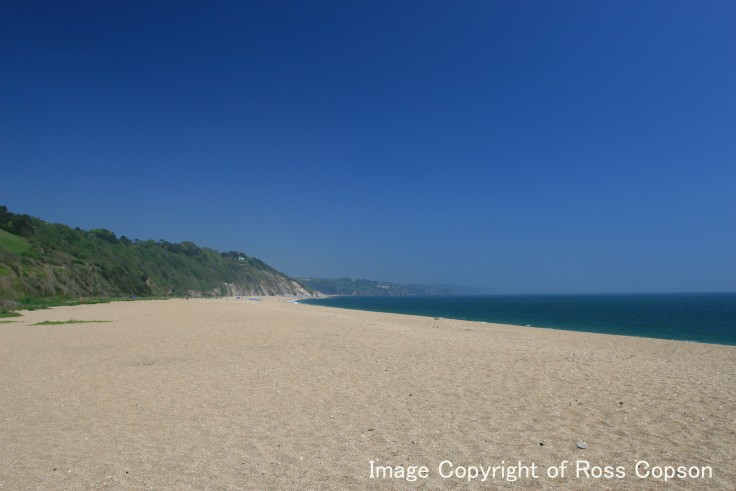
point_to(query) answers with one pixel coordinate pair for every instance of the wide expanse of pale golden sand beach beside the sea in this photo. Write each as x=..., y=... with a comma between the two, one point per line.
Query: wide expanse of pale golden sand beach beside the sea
x=227, y=394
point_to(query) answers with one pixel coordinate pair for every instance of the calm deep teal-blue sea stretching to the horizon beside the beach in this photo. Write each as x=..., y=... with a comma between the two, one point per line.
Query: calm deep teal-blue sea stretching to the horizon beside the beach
x=698, y=317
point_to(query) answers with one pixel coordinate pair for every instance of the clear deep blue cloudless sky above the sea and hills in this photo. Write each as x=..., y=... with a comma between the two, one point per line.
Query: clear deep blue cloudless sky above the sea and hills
x=536, y=146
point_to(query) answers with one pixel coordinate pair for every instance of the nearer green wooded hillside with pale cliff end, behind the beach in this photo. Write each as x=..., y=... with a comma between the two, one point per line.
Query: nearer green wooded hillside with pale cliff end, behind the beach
x=40, y=260
